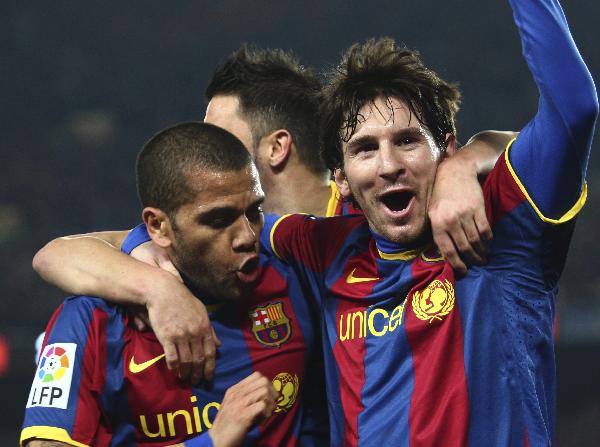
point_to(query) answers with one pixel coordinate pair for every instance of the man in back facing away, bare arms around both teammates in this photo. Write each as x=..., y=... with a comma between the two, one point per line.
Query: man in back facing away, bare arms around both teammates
x=270, y=102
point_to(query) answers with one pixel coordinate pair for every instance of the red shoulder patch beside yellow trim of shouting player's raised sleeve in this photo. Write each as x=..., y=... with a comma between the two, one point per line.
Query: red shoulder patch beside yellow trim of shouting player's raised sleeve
x=500, y=191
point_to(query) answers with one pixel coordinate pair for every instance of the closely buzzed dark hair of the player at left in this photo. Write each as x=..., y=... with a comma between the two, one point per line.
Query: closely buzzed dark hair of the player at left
x=169, y=157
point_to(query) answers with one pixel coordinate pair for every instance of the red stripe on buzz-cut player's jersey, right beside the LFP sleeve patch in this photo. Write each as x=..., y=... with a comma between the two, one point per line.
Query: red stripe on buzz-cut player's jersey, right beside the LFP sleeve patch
x=93, y=378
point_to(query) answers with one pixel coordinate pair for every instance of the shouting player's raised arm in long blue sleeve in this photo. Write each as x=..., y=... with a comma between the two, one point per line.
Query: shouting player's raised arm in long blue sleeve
x=551, y=154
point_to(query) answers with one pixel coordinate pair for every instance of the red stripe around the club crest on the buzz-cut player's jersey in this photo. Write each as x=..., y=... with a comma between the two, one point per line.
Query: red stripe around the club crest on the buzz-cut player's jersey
x=271, y=361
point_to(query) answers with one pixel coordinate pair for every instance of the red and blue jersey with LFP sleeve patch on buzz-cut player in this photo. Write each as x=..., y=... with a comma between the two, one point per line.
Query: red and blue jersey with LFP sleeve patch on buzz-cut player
x=100, y=382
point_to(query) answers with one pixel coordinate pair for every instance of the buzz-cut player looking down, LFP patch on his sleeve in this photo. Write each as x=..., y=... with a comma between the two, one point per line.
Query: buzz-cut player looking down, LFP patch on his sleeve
x=100, y=382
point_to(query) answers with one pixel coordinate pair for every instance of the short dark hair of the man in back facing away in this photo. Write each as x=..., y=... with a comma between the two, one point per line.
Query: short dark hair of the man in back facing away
x=275, y=92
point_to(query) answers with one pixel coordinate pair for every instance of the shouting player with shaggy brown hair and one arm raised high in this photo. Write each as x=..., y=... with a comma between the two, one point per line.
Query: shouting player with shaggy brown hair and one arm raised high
x=414, y=355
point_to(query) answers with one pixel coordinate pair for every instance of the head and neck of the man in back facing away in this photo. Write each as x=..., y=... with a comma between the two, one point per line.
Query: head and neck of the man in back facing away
x=271, y=102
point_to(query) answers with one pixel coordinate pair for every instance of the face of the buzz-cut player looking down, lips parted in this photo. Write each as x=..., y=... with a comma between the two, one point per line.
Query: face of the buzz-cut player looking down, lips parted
x=216, y=235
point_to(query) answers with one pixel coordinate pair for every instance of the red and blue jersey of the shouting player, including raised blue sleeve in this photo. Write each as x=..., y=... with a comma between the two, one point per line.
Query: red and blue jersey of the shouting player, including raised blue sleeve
x=415, y=356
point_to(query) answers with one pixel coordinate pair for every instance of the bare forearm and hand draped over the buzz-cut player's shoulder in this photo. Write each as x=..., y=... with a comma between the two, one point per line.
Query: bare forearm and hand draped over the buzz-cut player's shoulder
x=91, y=264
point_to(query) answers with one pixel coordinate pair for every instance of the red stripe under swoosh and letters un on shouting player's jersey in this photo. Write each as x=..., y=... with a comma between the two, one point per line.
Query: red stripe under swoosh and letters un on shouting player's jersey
x=356, y=282
